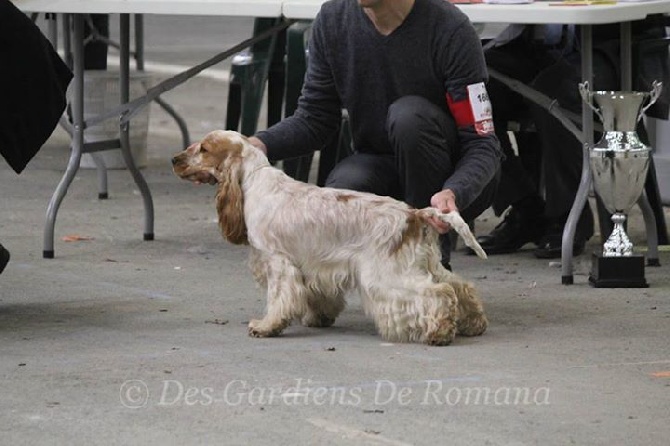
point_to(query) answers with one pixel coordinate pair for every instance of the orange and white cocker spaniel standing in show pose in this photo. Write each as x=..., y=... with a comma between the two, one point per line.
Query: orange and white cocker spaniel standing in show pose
x=311, y=245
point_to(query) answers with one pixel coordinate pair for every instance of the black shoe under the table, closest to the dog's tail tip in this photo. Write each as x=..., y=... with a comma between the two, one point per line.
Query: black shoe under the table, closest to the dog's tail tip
x=512, y=233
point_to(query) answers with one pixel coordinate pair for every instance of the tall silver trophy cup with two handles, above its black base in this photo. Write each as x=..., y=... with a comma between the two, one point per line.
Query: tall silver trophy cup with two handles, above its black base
x=619, y=161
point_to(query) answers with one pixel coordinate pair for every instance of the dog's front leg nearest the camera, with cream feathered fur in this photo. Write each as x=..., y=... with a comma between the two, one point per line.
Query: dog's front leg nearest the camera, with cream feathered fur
x=286, y=298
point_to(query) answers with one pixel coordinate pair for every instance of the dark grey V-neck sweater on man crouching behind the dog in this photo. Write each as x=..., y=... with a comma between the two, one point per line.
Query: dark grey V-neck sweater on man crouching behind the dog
x=435, y=51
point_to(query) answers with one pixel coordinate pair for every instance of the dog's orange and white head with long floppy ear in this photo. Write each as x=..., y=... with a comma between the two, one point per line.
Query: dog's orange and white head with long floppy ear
x=218, y=159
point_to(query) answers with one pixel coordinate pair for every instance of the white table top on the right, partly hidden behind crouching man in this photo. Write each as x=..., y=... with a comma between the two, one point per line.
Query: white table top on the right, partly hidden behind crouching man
x=537, y=12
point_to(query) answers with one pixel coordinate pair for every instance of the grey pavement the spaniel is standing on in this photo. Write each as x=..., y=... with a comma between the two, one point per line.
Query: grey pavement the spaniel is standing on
x=123, y=341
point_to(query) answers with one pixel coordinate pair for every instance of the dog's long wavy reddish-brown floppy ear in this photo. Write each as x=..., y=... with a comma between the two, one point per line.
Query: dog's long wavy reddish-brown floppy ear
x=230, y=202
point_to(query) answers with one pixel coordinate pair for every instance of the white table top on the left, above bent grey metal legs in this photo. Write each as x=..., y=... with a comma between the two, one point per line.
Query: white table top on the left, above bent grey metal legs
x=242, y=8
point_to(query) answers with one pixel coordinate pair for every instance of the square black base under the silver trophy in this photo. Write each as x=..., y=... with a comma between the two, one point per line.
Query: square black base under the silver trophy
x=617, y=272
